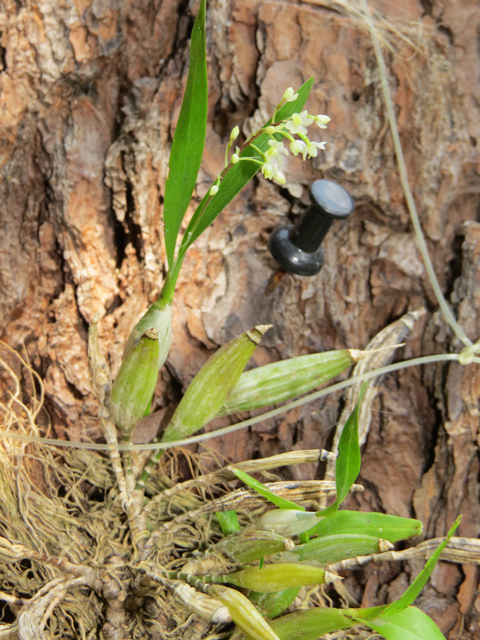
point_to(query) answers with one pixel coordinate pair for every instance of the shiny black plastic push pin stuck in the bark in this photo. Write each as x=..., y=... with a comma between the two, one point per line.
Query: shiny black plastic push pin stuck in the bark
x=297, y=248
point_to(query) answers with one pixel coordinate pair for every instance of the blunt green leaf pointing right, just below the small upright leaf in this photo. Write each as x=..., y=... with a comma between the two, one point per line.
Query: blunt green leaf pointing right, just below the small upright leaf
x=380, y=525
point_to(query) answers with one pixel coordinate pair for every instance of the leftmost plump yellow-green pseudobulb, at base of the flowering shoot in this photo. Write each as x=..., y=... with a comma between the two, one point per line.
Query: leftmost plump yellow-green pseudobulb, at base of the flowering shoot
x=135, y=383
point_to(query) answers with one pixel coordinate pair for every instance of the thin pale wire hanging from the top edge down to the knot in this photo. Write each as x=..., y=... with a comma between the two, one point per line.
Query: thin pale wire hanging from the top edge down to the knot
x=402, y=170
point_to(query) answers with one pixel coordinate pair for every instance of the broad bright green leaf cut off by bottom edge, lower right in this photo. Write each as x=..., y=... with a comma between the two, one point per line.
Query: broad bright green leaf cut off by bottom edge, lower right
x=407, y=624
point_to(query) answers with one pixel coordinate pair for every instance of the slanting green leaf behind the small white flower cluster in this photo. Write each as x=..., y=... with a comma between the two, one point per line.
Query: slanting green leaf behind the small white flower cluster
x=239, y=174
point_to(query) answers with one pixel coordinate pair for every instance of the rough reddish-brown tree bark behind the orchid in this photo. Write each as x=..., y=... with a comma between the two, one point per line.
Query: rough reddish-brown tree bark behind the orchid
x=90, y=91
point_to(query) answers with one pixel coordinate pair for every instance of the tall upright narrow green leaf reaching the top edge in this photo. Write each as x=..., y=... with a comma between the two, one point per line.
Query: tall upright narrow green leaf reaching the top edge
x=189, y=138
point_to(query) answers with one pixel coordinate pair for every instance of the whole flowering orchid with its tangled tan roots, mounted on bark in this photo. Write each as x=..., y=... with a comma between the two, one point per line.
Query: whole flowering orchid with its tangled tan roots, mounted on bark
x=155, y=540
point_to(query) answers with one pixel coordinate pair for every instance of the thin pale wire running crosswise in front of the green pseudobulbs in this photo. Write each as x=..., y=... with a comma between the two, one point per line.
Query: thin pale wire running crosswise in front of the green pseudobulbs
x=444, y=357
